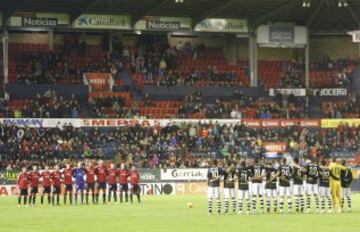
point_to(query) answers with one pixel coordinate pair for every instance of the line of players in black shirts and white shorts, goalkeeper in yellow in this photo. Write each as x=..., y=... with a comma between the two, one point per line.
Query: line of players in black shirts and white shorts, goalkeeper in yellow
x=278, y=182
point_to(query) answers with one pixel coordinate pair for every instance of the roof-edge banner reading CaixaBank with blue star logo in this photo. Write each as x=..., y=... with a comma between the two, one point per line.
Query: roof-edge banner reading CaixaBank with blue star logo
x=95, y=21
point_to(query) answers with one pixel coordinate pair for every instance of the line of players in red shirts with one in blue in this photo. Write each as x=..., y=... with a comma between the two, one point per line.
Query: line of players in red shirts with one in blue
x=88, y=180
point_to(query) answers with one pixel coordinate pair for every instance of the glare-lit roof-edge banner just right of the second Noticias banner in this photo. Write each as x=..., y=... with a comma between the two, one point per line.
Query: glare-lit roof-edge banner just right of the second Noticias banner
x=223, y=25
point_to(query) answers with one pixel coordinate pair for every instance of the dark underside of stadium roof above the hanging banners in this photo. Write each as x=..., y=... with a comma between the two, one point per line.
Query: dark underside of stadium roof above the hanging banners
x=321, y=16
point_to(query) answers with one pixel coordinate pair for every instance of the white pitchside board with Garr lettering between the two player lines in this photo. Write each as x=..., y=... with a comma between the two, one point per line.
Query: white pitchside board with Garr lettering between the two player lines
x=178, y=174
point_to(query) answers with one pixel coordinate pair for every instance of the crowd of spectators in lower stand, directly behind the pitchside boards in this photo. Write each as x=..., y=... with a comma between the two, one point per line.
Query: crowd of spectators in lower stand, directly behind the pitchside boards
x=173, y=145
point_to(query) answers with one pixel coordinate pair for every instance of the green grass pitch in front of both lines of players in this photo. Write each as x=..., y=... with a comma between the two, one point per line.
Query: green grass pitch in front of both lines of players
x=165, y=213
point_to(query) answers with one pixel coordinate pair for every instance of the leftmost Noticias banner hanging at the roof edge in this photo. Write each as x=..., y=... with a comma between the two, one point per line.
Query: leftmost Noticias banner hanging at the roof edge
x=38, y=20
